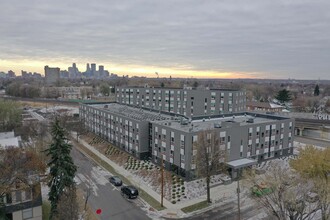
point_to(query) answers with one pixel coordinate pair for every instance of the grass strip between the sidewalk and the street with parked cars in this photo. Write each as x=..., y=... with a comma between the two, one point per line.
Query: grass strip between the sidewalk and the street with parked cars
x=145, y=196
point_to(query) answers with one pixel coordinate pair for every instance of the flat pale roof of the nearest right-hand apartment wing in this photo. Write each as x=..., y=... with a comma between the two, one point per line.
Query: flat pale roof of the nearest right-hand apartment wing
x=223, y=121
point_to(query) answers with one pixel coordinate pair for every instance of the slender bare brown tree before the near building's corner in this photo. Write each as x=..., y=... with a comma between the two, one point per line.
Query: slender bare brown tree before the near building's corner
x=209, y=157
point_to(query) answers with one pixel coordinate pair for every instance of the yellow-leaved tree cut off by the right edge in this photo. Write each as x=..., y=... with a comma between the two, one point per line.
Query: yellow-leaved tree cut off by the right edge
x=314, y=164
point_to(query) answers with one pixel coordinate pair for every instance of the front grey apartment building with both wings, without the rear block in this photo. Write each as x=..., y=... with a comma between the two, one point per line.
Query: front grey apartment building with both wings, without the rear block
x=148, y=133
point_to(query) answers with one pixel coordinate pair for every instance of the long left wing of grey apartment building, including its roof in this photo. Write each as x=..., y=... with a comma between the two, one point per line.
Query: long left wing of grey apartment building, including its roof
x=124, y=126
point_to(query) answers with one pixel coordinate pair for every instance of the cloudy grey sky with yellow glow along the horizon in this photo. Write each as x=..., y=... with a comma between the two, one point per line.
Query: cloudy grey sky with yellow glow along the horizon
x=179, y=38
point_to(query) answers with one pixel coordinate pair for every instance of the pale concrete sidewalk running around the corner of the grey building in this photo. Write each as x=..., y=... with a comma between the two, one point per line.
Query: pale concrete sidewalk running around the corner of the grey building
x=219, y=194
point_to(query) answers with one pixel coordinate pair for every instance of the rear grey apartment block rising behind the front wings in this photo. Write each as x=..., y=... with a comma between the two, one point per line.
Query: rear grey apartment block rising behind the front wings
x=188, y=102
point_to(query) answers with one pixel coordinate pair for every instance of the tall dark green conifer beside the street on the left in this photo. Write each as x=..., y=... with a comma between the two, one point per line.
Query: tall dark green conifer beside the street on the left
x=62, y=168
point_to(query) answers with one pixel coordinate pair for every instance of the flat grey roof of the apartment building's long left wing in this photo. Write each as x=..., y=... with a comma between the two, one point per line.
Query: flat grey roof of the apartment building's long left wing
x=140, y=114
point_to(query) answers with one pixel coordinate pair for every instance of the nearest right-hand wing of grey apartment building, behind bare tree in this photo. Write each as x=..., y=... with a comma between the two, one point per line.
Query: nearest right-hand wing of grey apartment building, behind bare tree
x=241, y=135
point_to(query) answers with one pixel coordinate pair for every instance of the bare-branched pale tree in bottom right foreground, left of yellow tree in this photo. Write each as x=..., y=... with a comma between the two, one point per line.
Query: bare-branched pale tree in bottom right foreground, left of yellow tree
x=282, y=192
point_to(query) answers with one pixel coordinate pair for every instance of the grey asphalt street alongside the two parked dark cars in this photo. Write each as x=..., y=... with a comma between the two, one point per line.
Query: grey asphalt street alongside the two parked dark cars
x=104, y=195
